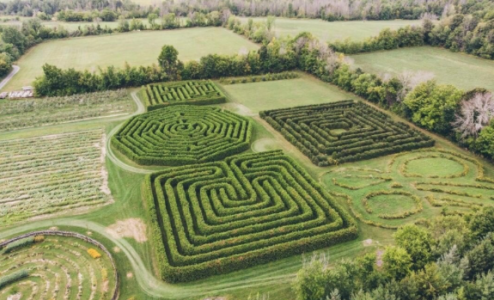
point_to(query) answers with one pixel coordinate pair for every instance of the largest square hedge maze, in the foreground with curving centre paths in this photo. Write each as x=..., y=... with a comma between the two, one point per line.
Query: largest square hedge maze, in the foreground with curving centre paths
x=249, y=209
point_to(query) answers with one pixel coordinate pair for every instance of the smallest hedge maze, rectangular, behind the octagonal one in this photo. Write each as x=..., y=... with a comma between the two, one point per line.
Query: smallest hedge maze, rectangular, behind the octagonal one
x=180, y=93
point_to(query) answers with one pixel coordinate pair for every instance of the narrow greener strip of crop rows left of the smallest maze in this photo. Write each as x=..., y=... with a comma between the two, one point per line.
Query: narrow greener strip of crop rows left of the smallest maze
x=18, y=114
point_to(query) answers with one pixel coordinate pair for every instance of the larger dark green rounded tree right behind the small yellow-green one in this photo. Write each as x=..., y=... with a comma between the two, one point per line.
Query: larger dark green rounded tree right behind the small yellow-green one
x=417, y=242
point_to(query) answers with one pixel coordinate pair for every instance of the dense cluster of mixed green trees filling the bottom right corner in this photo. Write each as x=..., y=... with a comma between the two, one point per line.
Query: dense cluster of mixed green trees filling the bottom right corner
x=449, y=258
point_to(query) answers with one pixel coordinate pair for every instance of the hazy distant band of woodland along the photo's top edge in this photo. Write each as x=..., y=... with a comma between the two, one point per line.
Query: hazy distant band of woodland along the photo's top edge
x=325, y=9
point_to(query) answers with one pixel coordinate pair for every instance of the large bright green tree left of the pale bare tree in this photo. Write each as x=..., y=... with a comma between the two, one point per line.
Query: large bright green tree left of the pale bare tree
x=433, y=106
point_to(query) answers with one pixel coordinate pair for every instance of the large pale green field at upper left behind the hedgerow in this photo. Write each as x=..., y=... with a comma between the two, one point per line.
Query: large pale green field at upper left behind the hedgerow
x=137, y=48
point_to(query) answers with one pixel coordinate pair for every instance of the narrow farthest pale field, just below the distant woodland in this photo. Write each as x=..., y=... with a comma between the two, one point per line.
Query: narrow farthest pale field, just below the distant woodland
x=333, y=31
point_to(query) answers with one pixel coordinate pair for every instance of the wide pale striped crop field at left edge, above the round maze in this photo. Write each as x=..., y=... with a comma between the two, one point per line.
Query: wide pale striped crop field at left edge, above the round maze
x=51, y=174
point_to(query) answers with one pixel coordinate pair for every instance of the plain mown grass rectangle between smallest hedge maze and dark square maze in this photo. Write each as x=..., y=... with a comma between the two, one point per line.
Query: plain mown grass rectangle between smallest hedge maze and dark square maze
x=306, y=90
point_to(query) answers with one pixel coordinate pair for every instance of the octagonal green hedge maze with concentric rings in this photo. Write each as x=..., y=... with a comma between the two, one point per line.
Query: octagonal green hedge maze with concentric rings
x=183, y=134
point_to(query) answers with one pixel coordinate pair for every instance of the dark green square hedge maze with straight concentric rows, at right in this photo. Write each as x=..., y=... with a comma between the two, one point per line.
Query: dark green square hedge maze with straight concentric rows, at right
x=344, y=131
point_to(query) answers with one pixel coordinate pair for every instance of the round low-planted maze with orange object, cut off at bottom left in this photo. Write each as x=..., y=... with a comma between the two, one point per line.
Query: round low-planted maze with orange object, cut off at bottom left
x=53, y=266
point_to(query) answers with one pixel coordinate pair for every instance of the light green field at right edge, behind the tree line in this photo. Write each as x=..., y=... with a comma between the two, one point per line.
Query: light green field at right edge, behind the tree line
x=461, y=70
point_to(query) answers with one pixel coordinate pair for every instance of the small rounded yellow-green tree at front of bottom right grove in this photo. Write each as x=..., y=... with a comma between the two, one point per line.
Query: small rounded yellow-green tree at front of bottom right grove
x=396, y=262
